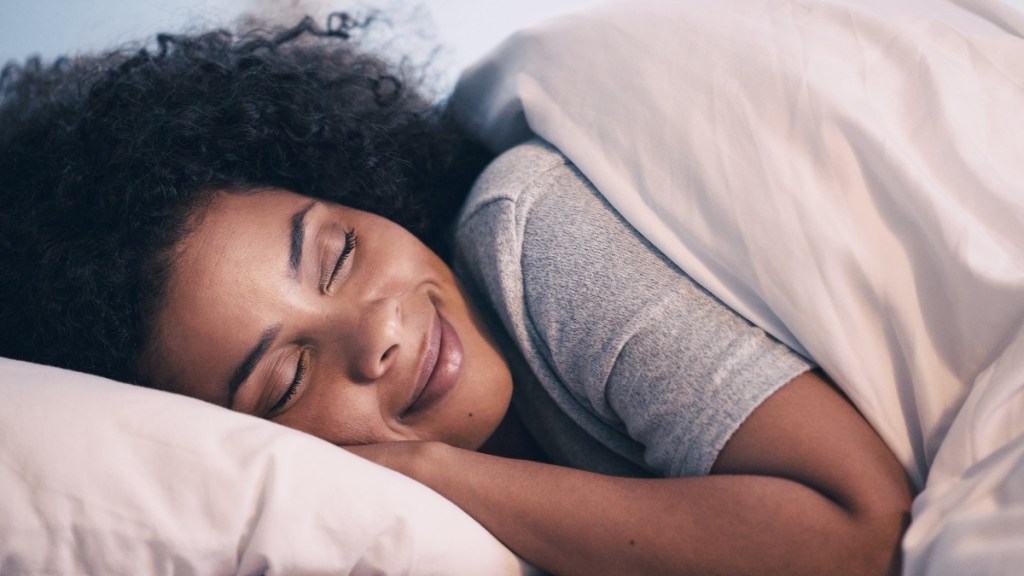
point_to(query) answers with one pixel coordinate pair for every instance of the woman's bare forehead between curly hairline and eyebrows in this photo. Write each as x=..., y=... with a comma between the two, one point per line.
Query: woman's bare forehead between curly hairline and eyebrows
x=227, y=276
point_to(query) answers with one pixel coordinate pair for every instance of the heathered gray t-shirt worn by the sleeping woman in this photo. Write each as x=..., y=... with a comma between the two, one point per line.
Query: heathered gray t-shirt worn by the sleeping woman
x=629, y=367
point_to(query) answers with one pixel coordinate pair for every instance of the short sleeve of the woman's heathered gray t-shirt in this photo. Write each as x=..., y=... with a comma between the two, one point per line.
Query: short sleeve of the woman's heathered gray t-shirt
x=635, y=341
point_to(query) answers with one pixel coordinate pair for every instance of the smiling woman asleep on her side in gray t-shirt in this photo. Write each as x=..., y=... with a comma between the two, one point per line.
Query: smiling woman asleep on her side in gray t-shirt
x=267, y=222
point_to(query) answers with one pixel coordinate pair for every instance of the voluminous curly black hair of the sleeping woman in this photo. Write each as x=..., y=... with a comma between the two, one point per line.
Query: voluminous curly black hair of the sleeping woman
x=104, y=159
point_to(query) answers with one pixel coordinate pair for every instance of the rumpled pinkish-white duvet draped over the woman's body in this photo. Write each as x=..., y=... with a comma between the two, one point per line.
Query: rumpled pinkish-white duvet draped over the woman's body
x=847, y=175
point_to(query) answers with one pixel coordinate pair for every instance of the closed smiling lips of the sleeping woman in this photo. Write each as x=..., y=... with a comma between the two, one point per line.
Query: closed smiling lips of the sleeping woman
x=440, y=368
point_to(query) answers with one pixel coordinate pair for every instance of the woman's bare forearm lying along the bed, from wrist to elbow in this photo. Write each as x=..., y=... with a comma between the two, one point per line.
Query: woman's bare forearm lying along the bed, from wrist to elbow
x=572, y=522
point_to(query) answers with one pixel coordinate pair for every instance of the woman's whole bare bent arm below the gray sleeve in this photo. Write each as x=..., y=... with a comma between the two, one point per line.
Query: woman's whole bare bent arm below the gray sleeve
x=805, y=486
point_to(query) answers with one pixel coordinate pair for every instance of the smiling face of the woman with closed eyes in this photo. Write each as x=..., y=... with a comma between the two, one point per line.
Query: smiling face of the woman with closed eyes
x=329, y=320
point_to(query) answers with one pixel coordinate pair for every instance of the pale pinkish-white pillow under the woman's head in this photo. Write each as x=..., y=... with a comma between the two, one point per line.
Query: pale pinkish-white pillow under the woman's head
x=103, y=478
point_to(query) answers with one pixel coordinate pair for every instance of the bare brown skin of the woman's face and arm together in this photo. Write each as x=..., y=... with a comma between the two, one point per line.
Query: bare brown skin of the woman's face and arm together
x=805, y=486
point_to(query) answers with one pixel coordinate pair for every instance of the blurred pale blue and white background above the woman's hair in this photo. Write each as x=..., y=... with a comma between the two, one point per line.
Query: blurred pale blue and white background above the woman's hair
x=52, y=28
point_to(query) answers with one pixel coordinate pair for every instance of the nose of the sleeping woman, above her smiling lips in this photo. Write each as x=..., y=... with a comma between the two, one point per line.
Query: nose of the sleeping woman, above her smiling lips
x=375, y=341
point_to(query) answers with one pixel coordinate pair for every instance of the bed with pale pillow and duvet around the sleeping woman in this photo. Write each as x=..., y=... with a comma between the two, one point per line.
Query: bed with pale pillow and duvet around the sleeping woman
x=847, y=175
